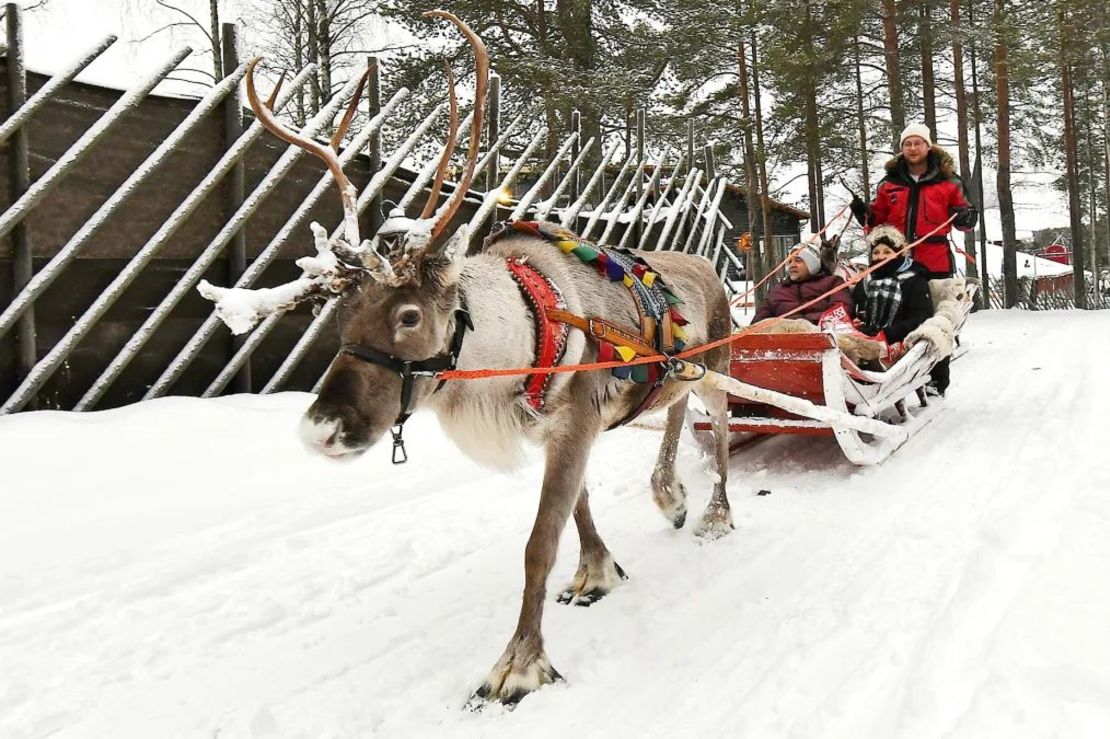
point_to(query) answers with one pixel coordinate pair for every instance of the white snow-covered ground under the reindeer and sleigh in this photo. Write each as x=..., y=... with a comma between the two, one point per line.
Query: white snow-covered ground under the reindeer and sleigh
x=183, y=569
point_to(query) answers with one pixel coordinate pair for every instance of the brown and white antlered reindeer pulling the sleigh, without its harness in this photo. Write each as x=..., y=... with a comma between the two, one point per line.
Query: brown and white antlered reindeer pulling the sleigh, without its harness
x=425, y=307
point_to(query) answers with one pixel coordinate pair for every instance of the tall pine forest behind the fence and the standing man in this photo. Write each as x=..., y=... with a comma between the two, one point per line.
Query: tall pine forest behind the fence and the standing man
x=785, y=89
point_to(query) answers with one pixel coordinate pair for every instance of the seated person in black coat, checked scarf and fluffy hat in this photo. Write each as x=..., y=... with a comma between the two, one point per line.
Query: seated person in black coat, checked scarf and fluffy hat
x=894, y=300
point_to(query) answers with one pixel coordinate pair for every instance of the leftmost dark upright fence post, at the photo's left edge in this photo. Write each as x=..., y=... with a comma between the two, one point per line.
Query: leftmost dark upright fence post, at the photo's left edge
x=19, y=181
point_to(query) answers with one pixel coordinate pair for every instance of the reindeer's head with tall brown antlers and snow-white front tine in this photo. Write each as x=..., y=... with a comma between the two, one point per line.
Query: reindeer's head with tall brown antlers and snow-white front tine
x=400, y=313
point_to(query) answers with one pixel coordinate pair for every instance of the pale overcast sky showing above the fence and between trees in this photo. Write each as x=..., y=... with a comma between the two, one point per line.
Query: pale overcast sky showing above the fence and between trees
x=58, y=34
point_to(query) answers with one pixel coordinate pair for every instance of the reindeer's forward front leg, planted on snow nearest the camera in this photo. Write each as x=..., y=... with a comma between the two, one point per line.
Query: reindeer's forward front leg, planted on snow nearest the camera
x=524, y=667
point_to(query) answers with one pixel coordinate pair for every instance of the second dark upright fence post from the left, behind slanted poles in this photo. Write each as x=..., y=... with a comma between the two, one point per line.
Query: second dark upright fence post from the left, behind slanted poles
x=235, y=190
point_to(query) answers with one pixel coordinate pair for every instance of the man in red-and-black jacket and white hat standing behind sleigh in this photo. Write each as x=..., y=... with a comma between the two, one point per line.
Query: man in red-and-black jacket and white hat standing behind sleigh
x=920, y=193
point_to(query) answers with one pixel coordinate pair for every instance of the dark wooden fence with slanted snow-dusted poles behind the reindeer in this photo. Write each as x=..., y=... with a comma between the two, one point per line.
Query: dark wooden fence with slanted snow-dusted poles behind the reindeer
x=120, y=204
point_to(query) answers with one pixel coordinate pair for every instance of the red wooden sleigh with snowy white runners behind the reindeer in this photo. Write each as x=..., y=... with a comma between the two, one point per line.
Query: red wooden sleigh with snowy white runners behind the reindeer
x=804, y=384
